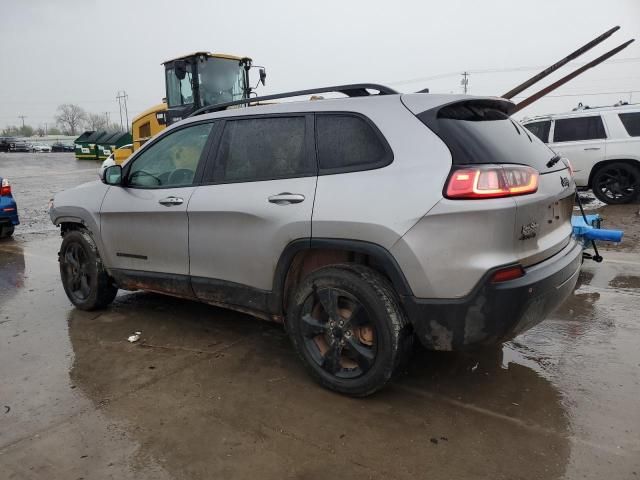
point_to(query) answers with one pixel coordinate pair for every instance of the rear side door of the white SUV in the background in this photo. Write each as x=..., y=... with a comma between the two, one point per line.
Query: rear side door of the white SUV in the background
x=583, y=141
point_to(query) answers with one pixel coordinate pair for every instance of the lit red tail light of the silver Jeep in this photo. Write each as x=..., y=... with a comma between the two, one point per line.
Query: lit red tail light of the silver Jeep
x=491, y=181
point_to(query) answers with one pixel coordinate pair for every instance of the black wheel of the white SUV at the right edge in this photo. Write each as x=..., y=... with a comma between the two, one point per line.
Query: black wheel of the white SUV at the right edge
x=616, y=183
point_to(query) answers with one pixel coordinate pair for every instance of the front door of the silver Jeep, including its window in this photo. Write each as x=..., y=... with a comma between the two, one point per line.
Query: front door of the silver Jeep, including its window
x=144, y=225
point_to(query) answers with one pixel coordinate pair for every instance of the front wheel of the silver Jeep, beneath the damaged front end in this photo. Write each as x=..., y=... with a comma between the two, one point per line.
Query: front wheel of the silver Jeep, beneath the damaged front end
x=84, y=278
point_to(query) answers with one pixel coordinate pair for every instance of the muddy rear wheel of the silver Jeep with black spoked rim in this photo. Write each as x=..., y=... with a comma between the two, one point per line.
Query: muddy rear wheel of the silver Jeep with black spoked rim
x=347, y=326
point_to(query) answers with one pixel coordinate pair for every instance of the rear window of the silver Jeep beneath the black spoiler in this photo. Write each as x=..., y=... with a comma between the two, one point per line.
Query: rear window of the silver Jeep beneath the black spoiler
x=481, y=131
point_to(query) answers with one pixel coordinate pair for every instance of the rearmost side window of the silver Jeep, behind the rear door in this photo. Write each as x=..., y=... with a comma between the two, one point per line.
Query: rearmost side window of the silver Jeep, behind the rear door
x=348, y=143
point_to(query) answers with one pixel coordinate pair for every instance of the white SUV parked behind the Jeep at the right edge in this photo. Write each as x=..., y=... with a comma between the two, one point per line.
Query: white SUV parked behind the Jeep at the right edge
x=602, y=144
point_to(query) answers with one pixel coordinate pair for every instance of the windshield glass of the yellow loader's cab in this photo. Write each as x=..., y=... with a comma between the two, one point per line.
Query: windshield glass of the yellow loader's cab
x=221, y=80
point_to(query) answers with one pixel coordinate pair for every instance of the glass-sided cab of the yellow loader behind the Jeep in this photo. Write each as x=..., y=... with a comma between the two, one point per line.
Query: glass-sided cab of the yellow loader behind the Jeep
x=203, y=79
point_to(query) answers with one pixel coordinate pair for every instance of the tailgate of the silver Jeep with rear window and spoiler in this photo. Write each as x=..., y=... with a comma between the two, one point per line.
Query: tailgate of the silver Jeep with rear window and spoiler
x=480, y=131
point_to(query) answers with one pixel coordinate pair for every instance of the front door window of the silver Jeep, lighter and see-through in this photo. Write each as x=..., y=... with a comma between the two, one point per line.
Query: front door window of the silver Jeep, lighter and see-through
x=171, y=161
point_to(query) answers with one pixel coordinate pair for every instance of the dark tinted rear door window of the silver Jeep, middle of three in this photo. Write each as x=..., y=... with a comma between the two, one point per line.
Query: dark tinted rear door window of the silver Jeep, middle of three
x=263, y=149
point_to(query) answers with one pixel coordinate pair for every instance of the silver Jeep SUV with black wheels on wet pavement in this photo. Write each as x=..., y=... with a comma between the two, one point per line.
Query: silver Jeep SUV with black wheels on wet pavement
x=360, y=223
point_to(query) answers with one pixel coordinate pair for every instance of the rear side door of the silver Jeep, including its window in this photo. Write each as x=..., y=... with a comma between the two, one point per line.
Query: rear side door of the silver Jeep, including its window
x=259, y=197
